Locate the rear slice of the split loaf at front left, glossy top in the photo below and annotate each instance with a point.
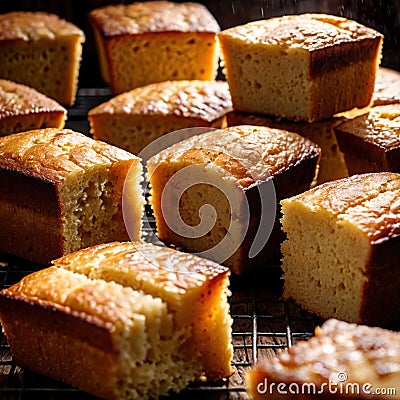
(194, 289)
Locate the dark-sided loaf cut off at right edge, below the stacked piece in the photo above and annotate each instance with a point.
(371, 142)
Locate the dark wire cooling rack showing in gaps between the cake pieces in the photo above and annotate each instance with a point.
(262, 323)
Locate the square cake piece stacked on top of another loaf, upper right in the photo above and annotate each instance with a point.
(301, 67)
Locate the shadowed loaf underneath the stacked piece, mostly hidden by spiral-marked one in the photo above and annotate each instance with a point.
(332, 164)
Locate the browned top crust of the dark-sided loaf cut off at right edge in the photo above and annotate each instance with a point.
(380, 126)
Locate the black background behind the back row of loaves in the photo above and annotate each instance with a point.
(383, 15)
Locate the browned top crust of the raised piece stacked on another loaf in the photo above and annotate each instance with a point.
(305, 31)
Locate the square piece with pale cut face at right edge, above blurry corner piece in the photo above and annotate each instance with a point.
(340, 259)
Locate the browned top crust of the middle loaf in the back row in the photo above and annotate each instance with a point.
(153, 16)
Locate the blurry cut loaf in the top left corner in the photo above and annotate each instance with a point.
(42, 51)
